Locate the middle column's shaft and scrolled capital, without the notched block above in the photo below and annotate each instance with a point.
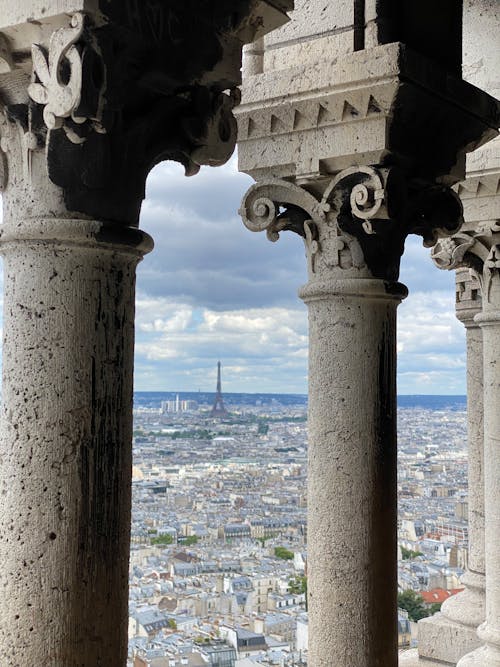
(353, 247)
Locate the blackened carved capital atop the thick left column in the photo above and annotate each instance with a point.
(103, 96)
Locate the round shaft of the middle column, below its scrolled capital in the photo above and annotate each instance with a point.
(352, 503)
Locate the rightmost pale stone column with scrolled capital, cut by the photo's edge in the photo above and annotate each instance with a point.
(477, 247)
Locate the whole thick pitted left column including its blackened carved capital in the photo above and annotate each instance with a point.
(90, 100)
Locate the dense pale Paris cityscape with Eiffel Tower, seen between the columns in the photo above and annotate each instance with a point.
(218, 562)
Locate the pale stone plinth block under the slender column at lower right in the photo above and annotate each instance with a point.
(444, 640)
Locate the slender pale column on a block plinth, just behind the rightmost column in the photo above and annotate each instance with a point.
(449, 635)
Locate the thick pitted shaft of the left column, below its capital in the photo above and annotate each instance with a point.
(66, 443)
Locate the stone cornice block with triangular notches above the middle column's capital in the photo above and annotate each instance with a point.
(380, 105)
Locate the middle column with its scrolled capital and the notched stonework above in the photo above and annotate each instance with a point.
(328, 128)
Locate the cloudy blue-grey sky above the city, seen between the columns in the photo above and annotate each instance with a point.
(212, 290)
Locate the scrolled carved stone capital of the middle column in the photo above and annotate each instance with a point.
(357, 227)
